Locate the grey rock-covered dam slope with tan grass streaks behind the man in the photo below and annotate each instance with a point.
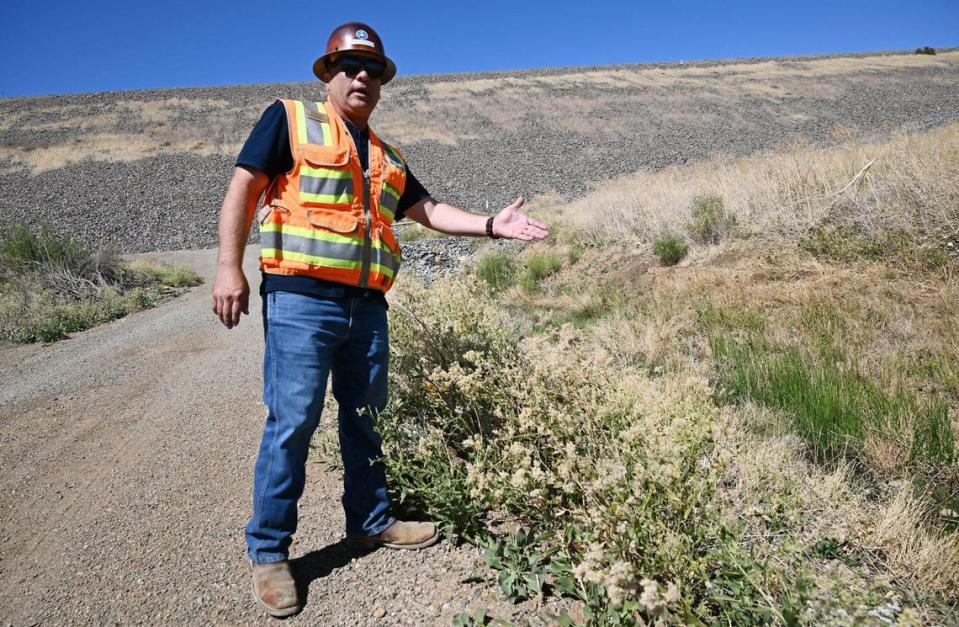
(146, 170)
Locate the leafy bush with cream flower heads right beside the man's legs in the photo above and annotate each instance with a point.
(477, 435)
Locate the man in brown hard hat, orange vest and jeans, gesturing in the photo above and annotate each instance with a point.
(328, 257)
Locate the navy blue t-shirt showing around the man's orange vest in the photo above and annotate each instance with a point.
(268, 150)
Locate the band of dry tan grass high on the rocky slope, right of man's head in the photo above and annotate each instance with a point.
(487, 106)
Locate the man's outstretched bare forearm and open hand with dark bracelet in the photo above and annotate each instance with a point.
(508, 223)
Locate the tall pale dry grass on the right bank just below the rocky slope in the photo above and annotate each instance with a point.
(786, 193)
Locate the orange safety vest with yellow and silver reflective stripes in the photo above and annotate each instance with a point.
(326, 217)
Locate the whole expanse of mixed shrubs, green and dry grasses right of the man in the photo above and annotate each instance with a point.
(764, 437)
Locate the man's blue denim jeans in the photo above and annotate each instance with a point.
(307, 338)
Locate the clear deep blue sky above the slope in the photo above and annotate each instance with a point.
(59, 47)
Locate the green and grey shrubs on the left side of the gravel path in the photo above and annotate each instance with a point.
(51, 286)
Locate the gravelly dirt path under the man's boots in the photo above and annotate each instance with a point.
(127, 455)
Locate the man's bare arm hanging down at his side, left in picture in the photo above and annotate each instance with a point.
(231, 292)
